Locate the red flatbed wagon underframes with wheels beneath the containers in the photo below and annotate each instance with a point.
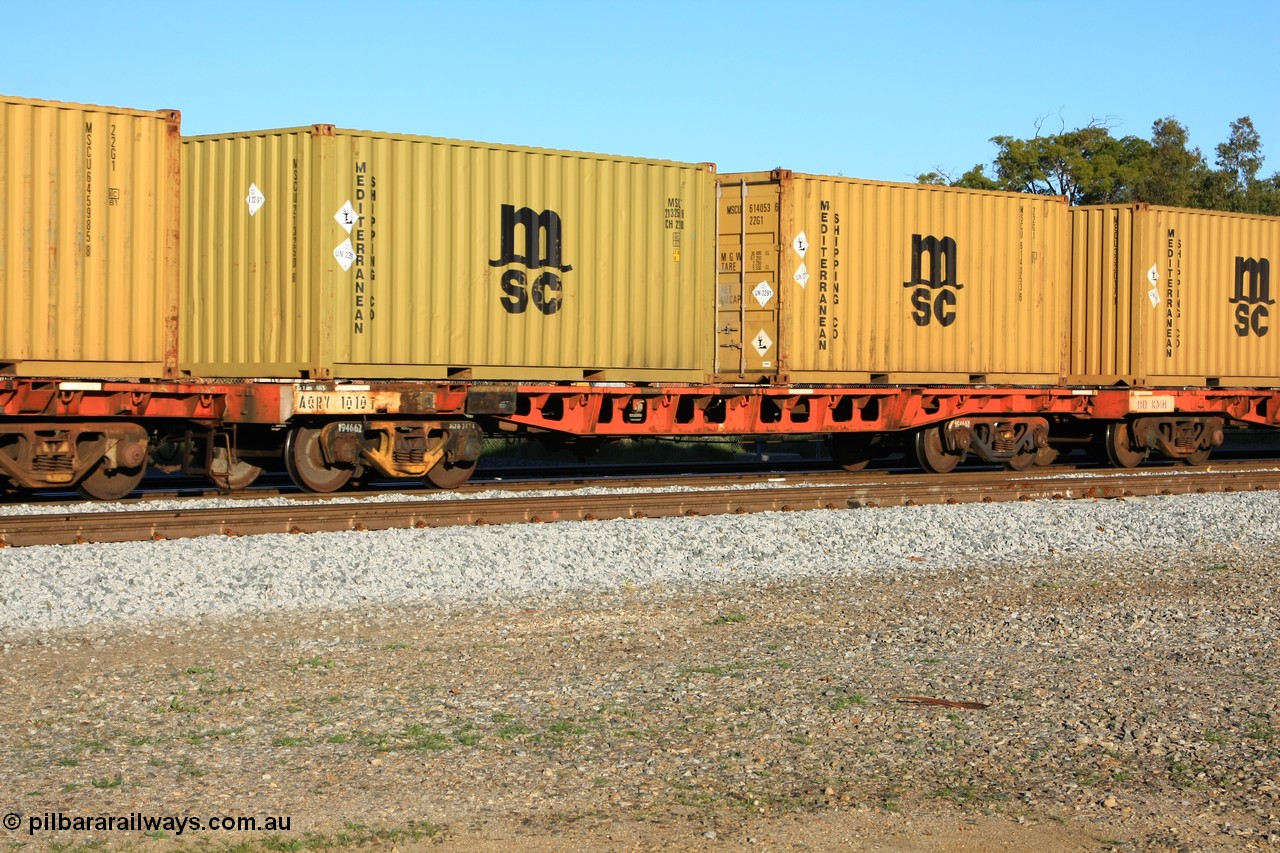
(102, 439)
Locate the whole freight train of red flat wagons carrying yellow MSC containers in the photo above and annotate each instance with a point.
(350, 304)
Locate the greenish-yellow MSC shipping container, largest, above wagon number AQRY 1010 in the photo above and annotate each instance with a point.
(319, 252)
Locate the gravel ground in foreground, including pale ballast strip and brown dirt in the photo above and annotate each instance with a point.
(693, 683)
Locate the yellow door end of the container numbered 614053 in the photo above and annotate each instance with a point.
(747, 293)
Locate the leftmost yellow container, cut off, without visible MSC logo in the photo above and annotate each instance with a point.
(89, 240)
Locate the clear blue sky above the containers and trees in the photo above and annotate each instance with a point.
(876, 90)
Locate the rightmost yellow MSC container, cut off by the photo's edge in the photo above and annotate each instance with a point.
(1168, 297)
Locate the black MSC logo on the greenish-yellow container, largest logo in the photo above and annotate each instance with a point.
(541, 252)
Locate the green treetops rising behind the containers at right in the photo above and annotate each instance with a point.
(1090, 166)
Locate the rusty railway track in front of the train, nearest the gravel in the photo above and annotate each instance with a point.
(866, 490)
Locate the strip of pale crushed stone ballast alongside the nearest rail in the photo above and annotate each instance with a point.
(112, 585)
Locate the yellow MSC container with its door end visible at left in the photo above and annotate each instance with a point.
(828, 280)
